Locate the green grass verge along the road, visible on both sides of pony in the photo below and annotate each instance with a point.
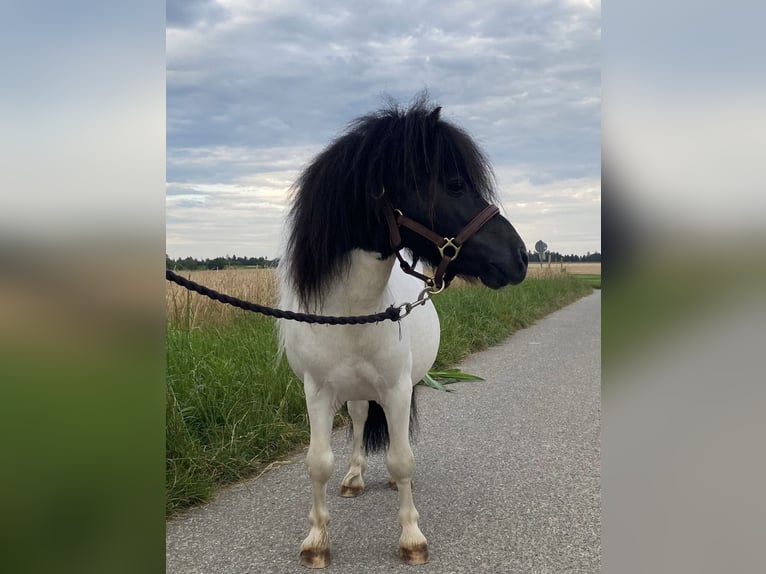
(232, 407)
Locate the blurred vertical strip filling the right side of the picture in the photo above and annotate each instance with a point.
(684, 312)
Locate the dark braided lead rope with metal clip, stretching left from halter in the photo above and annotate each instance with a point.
(391, 314)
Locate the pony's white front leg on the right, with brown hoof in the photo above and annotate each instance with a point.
(413, 547)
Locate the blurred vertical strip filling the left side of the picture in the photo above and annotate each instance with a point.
(82, 110)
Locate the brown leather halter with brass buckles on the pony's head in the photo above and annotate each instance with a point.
(449, 247)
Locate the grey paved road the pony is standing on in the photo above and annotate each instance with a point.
(506, 478)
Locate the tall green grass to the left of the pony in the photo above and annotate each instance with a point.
(231, 407)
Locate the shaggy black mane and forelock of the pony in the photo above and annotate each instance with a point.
(336, 203)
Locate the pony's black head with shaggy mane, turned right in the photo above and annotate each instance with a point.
(423, 166)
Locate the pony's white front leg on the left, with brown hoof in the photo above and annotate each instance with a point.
(315, 550)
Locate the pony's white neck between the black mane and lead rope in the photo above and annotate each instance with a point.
(361, 288)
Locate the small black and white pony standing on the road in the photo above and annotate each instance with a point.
(397, 178)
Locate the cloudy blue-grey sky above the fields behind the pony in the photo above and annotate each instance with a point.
(256, 88)
